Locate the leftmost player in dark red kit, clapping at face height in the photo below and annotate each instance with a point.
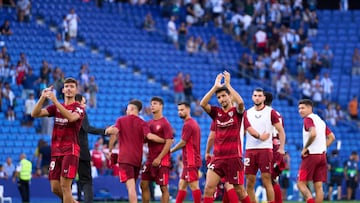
(65, 147)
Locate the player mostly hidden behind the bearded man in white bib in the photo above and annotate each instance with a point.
(278, 160)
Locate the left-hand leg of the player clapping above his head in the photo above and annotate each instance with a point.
(212, 179)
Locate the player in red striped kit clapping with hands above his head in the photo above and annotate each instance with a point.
(227, 160)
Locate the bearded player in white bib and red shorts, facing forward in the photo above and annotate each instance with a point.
(259, 152)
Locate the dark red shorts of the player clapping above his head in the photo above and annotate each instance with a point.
(231, 169)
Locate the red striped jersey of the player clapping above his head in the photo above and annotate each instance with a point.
(227, 143)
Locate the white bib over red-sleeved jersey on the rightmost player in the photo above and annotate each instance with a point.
(318, 146)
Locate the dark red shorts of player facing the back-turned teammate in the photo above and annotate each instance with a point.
(158, 174)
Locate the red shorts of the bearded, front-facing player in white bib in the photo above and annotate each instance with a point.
(256, 159)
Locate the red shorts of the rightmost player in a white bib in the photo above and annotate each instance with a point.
(313, 168)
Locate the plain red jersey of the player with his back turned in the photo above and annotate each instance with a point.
(132, 132)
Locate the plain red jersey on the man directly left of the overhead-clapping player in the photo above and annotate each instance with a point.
(191, 151)
